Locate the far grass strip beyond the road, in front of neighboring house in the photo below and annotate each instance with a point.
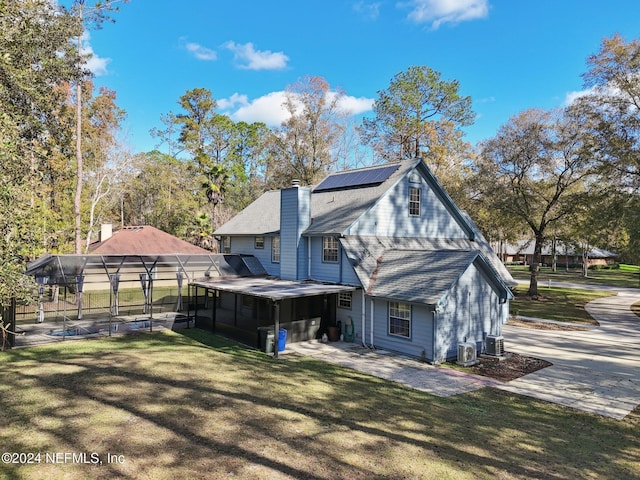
(625, 277)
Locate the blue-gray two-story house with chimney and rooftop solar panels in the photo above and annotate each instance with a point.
(392, 260)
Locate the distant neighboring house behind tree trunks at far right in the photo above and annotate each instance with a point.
(522, 252)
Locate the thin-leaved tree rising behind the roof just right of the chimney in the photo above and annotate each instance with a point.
(305, 141)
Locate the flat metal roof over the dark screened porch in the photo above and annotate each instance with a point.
(272, 288)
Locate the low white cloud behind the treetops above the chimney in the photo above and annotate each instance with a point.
(270, 110)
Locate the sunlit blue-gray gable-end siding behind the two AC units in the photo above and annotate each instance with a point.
(471, 311)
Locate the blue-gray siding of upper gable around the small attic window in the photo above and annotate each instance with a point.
(390, 216)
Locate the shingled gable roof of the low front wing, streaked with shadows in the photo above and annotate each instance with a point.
(426, 277)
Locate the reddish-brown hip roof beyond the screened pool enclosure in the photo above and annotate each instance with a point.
(144, 240)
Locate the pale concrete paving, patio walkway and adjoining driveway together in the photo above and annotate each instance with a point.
(595, 370)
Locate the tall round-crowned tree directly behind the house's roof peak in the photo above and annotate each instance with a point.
(416, 114)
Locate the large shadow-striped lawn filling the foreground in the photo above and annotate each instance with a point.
(201, 407)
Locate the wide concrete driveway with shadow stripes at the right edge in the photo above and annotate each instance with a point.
(596, 370)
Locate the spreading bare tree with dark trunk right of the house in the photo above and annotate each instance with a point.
(537, 170)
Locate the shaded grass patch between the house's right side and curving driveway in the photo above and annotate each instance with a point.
(560, 304)
